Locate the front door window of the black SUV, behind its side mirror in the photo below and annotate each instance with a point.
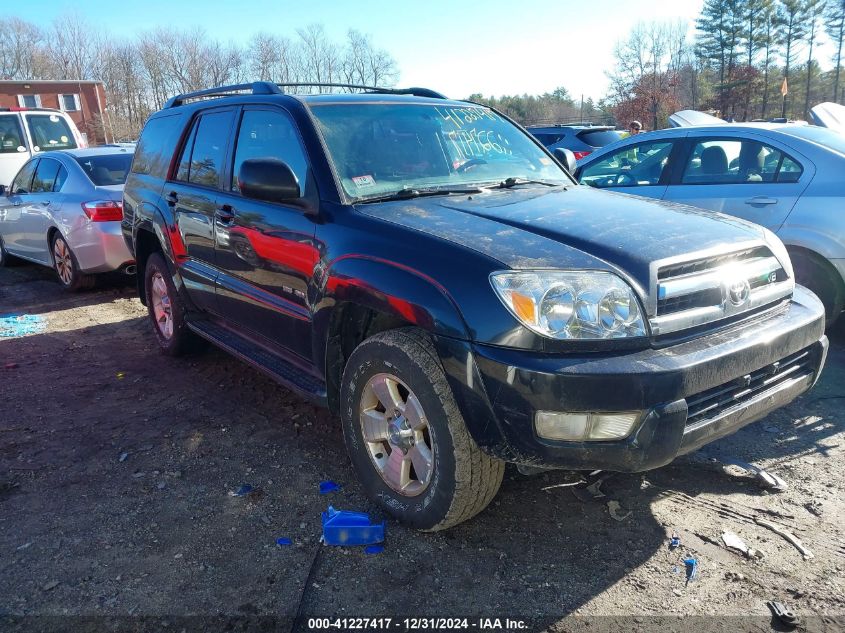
(268, 134)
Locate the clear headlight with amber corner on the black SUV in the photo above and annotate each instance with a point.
(571, 305)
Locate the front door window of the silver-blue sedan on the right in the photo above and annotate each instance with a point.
(634, 166)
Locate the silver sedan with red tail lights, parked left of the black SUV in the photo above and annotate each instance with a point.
(64, 209)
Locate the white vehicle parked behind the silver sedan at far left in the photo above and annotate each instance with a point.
(26, 131)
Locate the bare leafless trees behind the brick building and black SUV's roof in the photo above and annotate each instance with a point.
(140, 74)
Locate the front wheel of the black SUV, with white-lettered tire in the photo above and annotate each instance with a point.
(406, 437)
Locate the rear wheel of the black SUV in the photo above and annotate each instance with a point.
(166, 309)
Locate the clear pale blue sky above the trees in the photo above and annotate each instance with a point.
(492, 47)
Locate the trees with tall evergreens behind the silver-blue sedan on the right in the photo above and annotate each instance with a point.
(745, 54)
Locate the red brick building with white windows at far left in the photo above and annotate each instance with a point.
(84, 101)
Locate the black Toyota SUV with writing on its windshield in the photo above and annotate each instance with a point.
(427, 270)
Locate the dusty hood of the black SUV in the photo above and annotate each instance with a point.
(577, 227)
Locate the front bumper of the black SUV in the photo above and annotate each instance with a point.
(691, 393)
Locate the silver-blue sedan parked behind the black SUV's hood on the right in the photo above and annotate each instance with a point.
(785, 177)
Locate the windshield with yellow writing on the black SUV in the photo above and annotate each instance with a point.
(381, 149)
